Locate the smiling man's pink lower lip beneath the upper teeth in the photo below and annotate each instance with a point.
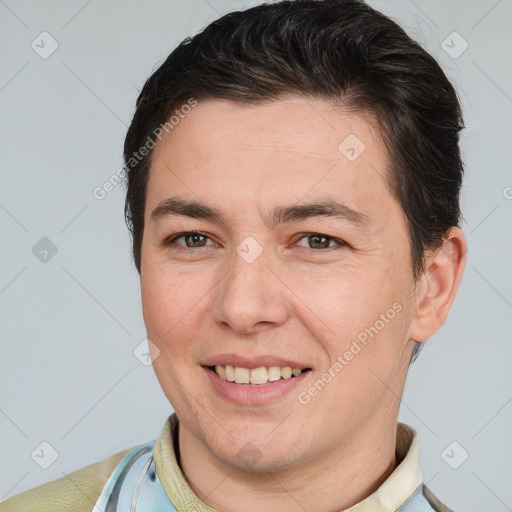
(257, 394)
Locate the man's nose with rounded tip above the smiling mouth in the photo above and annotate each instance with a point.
(251, 297)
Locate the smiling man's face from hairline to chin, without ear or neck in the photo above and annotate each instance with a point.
(307, 290)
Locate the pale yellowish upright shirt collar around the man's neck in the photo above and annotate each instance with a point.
(392, 494)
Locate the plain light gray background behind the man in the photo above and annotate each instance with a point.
(69, 326)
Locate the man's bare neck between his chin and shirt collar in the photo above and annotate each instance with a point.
(349, 473)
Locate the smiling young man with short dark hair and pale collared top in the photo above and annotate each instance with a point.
(293, 196)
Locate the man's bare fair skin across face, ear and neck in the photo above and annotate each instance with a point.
(295, 300)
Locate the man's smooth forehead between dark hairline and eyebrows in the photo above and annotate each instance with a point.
(229, 154)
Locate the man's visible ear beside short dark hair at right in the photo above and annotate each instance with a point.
(436, 289)
